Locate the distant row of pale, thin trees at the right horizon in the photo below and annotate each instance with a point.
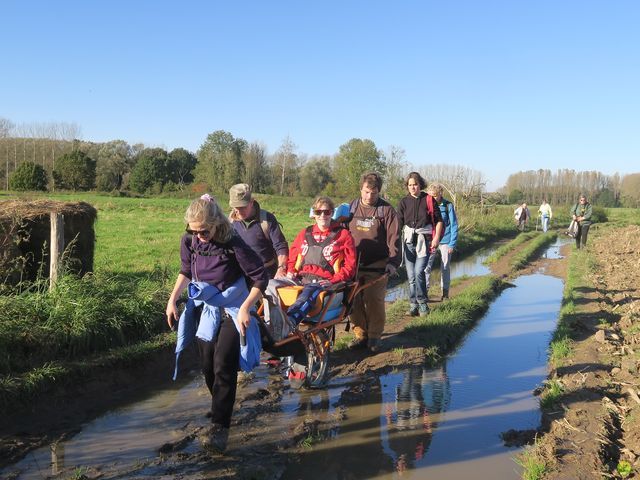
(565, 185)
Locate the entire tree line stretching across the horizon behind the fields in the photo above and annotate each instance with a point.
(50, 157)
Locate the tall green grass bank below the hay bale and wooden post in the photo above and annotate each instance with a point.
(44, 330)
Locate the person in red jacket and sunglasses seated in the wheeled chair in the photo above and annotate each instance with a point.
(321, 255)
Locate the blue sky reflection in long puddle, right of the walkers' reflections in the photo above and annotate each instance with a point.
(494, 373)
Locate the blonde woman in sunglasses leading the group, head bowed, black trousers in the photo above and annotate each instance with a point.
(212, 254)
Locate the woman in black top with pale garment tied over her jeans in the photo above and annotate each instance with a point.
(421, 226)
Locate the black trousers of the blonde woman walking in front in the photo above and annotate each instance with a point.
(220, 360)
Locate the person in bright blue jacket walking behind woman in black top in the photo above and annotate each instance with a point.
(448, 241)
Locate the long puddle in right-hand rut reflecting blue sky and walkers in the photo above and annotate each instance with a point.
(446, 422)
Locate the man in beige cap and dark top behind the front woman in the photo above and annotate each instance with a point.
(259, 229)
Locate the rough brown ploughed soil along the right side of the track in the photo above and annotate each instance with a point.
(594, 430)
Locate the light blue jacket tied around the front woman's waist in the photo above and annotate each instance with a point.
(212, 300)
